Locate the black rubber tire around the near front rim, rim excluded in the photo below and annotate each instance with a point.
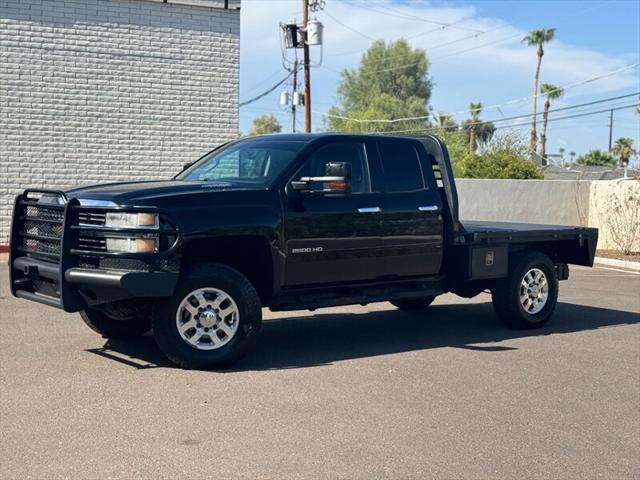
(233, 283)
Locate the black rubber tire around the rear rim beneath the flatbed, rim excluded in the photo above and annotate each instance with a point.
(506, 293)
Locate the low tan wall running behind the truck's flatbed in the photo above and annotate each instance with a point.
(556, 202)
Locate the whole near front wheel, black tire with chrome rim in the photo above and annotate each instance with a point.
(212, 320)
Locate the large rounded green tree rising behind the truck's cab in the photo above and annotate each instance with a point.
(391, 82)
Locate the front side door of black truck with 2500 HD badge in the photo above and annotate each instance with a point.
(336, 239)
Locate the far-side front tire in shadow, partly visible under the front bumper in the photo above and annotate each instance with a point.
(118, 320)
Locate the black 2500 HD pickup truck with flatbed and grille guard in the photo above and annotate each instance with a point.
(286, 222)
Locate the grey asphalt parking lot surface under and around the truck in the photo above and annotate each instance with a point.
(355, 392)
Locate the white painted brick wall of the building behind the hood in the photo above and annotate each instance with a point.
(106, 90)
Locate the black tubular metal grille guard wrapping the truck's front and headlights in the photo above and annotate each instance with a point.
(69, 255)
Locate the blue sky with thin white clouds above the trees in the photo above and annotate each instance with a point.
(476, 54)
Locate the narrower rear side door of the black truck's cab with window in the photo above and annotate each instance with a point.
(411, 209)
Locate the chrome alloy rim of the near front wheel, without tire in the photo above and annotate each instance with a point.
(207, 318)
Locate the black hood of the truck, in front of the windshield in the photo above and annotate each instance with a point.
(127, 193)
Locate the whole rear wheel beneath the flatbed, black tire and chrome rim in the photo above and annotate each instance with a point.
(528, 296)
